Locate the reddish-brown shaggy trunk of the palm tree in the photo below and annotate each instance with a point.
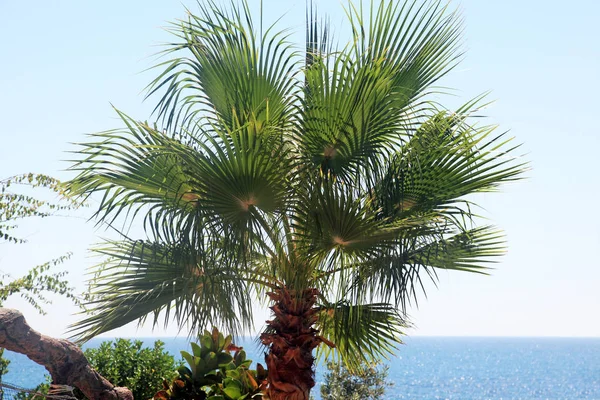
(291, 340)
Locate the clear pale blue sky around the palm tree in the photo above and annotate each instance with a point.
(63, 62)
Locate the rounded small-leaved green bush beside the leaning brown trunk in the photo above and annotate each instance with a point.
(127, 363)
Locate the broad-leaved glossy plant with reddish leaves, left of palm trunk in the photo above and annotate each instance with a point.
(213, 373)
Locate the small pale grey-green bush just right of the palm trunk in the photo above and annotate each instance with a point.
(367, 383)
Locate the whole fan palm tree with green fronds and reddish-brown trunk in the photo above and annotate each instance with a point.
(325, 184)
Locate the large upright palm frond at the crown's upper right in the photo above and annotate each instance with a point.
(361, 101)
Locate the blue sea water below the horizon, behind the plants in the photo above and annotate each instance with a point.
(451, 368)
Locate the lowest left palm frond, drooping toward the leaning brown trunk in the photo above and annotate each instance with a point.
(141, 278)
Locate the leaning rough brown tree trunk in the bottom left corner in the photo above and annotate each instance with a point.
(64, 360)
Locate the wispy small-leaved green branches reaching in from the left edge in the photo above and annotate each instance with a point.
(39, 280)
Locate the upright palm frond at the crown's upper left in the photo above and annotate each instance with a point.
(230, 73)
